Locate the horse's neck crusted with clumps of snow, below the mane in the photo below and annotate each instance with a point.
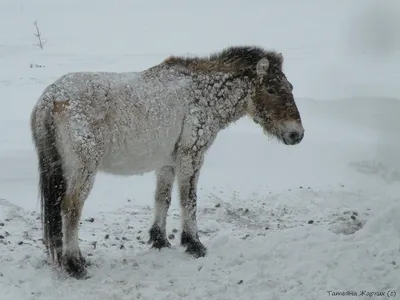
(225, 95)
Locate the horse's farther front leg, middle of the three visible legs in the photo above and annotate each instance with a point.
(158, 233)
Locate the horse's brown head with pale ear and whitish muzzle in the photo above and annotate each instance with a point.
(273, 105)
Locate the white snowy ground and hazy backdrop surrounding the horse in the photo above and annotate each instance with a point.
(319, 220)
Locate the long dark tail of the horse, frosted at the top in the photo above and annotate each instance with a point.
(52, 181)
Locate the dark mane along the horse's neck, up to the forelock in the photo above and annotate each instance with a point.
(237, 59)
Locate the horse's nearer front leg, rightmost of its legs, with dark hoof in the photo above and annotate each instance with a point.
(189, 165)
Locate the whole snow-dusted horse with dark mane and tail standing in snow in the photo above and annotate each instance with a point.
(162, 119)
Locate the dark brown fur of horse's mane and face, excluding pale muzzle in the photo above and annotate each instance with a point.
(271, 89)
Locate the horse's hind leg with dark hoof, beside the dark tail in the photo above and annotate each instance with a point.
(82, 153)
